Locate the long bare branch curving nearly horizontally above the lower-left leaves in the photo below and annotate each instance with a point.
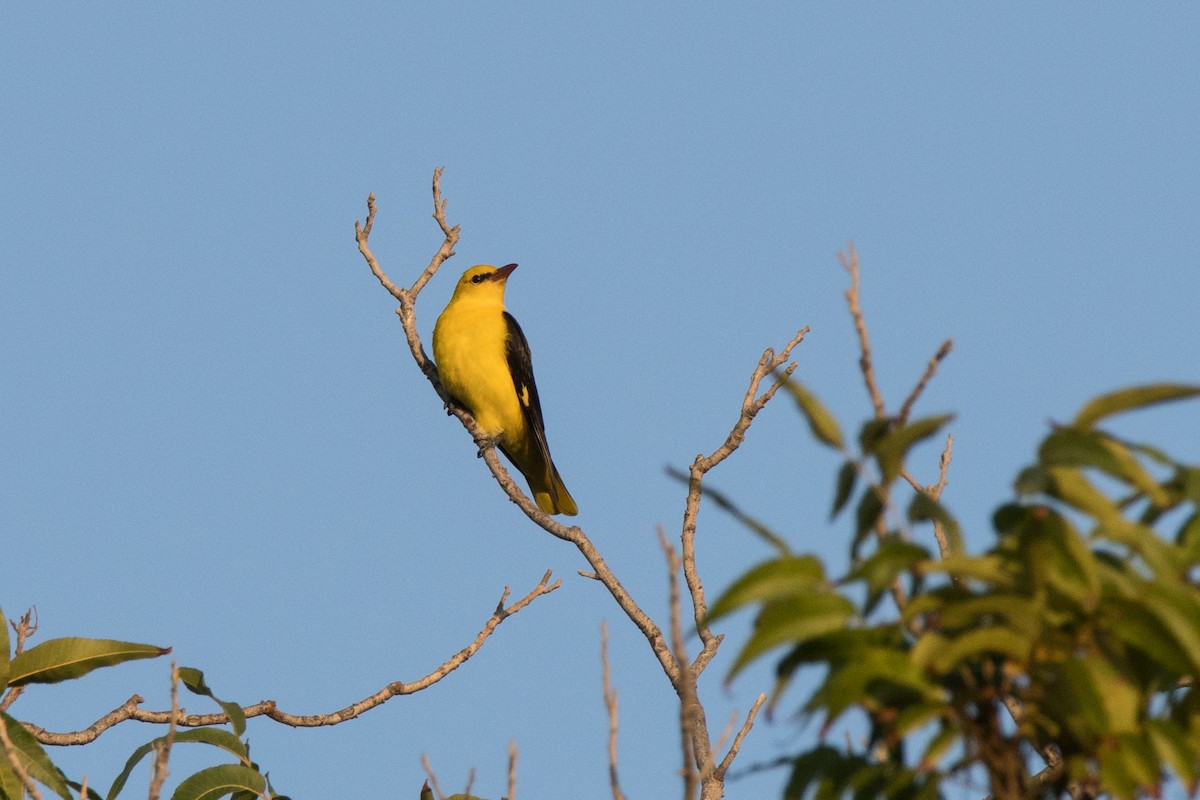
(131, 711)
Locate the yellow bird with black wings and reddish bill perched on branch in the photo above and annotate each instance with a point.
(484, 362)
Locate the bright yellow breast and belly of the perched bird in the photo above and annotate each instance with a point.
(470, 347)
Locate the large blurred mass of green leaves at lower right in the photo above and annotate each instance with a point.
(1077, 633)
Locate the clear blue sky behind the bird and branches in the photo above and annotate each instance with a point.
(213, 435)
